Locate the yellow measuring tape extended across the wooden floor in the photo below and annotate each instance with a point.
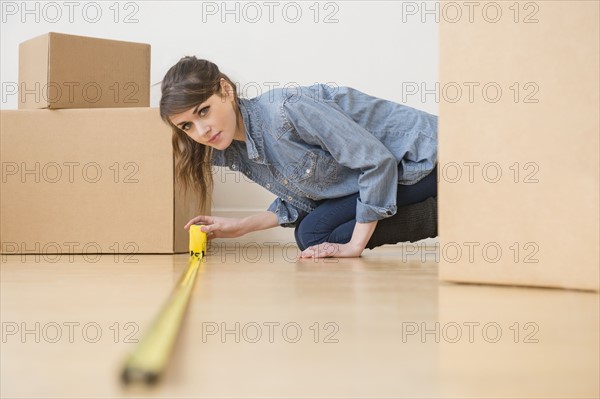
(151, 356)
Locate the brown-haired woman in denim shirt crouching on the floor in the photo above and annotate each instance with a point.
(350, 171)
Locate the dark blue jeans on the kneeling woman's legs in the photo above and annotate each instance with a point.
(333, 220)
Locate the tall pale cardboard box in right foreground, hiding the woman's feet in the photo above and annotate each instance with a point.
(519, 171)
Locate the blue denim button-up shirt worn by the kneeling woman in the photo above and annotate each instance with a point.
(311, 143)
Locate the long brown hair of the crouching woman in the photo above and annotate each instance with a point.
(188, 83)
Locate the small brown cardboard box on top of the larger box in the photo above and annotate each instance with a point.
(67, 71)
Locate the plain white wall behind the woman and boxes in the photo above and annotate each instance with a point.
(379, 47)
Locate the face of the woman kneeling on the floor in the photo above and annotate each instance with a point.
(212, 123)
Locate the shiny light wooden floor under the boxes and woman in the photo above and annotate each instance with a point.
(261, 324)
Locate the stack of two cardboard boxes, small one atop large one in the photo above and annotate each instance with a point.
(87, 166)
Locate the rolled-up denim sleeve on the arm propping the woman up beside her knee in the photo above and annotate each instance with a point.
(323, 123)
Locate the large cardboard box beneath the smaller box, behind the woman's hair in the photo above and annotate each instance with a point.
(90, 181)
